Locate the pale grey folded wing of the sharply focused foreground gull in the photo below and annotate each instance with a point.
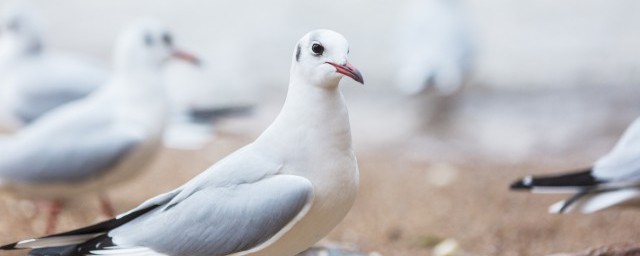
(220, 220)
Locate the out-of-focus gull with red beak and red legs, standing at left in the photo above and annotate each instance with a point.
(105, 138)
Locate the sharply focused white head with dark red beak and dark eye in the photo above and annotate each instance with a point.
(320, 57)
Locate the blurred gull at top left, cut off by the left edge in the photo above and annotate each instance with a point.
(33, 78)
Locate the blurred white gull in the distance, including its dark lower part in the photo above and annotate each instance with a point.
(434, 55)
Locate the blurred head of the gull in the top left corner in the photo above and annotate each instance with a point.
(20, 30)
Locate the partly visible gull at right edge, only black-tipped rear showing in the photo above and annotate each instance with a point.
(612, 180)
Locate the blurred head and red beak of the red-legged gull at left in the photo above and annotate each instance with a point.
(147, 45)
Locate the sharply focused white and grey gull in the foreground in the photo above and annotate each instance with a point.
(276, 196)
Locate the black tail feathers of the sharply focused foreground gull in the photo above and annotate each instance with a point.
(76, 242)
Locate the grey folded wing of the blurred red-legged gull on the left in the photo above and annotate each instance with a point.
(65, 156)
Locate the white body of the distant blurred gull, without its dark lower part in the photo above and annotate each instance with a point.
(434, 47)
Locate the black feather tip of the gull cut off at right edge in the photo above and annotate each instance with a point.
(576, 181)
